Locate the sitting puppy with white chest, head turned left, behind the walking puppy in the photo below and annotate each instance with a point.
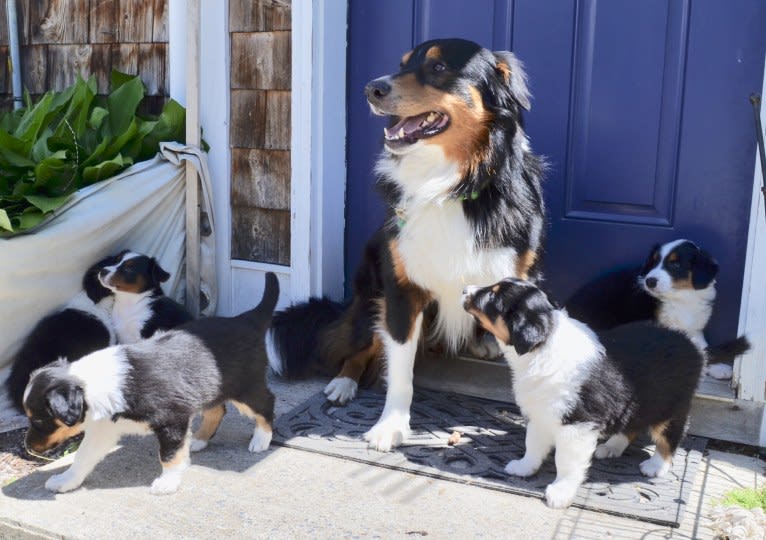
(140, 306)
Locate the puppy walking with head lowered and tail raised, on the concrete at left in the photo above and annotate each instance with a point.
(156, 386)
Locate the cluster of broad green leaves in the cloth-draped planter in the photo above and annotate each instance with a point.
(71, 139)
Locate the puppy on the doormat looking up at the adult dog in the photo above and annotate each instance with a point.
(575, 388)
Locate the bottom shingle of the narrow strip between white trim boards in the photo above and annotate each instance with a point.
(260, 235)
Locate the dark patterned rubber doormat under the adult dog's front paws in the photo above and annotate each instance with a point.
(491, 434)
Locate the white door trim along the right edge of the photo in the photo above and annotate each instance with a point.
(750, 371)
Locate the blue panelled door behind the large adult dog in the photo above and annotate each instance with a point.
(641, 109)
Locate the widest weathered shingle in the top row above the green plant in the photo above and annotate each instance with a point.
(60, 22)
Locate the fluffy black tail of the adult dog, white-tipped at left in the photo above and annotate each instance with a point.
(293, 342)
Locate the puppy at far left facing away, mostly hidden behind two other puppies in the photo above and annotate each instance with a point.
(82, 326)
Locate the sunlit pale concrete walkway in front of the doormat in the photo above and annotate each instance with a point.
(285, 493)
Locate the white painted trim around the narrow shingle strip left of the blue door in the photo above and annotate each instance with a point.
(318, 148)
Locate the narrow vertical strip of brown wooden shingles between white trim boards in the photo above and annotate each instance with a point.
(260, 129)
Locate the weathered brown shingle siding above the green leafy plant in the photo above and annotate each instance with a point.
(61, 39)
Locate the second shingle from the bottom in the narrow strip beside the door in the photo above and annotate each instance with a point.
(260, 178)
